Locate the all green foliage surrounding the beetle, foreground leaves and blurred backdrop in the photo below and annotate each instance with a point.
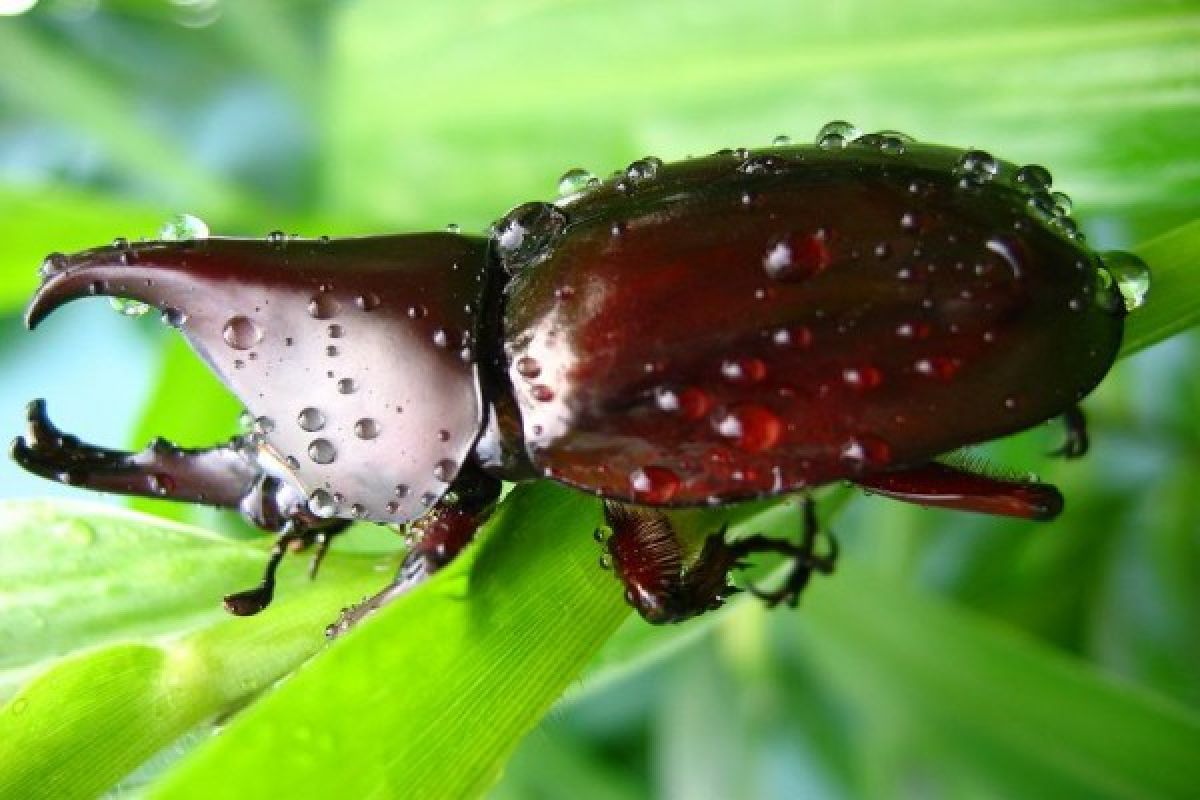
(951, 657)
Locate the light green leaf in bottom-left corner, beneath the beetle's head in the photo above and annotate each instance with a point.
(94, 576)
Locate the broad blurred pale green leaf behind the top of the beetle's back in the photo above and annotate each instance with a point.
(1105, 97)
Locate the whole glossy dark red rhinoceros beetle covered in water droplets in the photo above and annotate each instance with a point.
(742, 326)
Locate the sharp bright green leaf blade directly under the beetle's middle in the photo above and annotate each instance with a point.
(434, 694)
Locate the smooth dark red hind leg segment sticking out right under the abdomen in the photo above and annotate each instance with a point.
(951, 488)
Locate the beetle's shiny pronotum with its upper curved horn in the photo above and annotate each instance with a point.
(321, 340)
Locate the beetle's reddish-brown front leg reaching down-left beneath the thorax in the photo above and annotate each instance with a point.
(439, 538)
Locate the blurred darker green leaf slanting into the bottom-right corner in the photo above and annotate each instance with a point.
(995, 695)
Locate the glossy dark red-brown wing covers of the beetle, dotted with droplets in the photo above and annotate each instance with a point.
(754, 323)
